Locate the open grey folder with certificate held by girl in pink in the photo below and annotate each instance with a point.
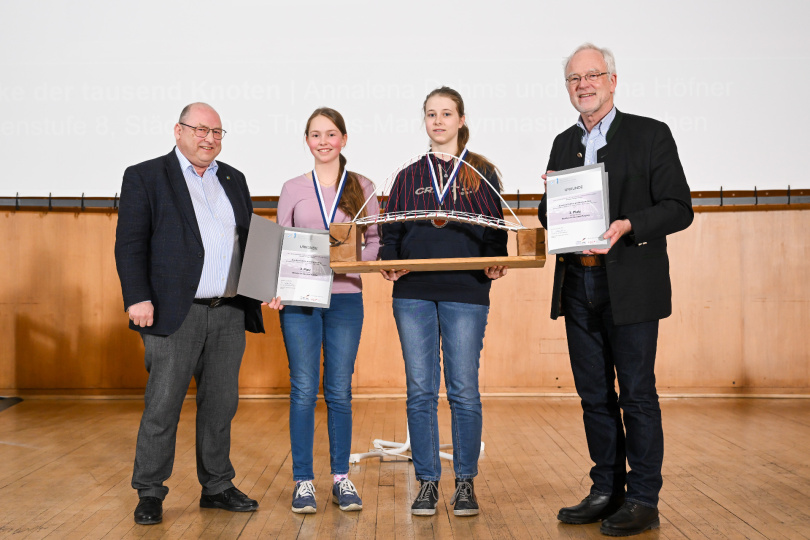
(286, 262)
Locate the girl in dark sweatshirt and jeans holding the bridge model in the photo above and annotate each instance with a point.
(444, 311)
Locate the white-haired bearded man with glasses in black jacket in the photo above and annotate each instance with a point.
(612, 299)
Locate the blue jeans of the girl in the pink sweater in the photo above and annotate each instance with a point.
(305, 329)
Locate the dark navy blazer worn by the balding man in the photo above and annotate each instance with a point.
(158, 248)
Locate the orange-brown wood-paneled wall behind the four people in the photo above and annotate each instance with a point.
(741, 295)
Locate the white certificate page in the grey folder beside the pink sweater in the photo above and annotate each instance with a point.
(304, 276)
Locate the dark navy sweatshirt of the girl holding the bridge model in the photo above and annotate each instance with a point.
(413, 190)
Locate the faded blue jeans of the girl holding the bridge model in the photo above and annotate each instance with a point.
(458, 328)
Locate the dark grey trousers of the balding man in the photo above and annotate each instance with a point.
(209, 347)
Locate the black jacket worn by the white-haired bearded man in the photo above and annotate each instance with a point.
(647, 185)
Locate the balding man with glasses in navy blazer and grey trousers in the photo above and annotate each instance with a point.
(182, 227)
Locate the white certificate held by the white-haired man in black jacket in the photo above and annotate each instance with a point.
(577, 209)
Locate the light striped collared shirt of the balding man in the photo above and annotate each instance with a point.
(217, 224)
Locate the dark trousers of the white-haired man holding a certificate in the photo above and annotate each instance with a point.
(600, 353)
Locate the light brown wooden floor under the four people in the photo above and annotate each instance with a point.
(734, 468)
